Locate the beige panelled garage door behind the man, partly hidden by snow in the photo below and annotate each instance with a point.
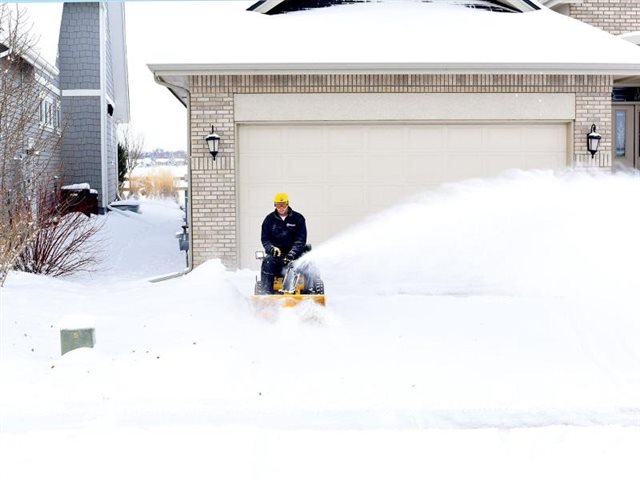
(338, 174)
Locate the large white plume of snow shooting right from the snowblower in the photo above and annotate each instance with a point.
(524, 233)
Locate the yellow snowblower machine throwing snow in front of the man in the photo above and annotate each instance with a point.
(296, 284)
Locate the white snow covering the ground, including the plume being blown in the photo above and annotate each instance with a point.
(489, 329)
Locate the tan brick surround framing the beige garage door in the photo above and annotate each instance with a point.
(213, 184)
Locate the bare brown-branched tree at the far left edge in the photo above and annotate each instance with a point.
(30, 134)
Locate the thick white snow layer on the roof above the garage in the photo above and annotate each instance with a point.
(407, 35)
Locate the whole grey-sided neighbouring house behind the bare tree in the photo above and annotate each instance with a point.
(83, 97)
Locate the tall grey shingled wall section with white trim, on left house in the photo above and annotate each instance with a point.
(95, 96)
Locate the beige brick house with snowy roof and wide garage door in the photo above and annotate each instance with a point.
(352, 108)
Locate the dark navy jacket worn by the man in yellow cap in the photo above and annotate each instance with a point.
(289, 235)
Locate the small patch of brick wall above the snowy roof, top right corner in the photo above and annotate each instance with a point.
(613, 16)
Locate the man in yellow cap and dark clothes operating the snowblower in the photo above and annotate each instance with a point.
(284, 235)
